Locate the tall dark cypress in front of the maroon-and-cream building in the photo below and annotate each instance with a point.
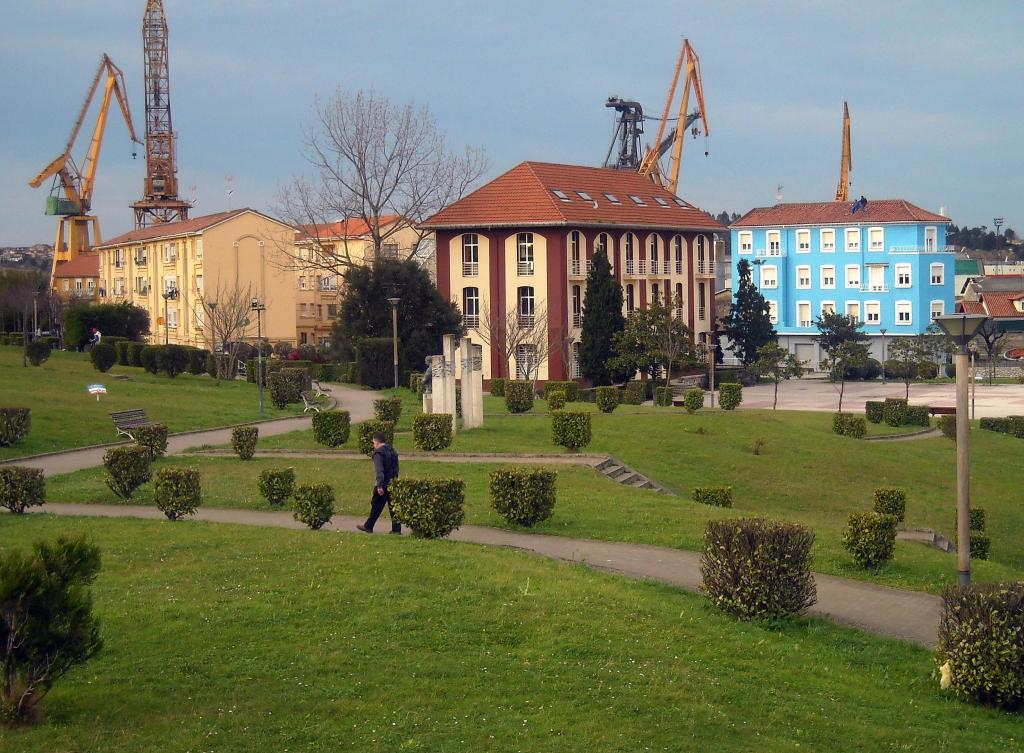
(603, 318)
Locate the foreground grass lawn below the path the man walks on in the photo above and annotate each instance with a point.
(230, 639)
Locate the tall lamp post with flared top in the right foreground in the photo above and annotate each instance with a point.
(962, 328)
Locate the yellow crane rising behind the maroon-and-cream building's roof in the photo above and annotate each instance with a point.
(686, 122)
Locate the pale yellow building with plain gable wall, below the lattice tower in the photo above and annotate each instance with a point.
(240, 253)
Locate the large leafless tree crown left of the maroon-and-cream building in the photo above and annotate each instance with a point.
(383, 164)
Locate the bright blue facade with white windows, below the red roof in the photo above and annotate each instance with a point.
(893, 276)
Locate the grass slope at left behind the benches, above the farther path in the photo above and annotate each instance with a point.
(65, 416)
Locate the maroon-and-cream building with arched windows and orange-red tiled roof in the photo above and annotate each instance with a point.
(522, 245)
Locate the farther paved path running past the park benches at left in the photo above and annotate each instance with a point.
(360, 403)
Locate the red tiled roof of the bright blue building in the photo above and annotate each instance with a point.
(878, 211)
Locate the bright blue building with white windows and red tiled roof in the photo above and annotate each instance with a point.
(887, 265)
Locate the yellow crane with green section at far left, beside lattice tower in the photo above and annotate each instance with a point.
(71, 196)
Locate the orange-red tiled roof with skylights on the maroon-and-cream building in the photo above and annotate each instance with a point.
(524, 196)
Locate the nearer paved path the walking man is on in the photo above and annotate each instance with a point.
(889, 612)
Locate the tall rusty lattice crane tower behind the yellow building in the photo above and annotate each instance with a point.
(160, 201)
